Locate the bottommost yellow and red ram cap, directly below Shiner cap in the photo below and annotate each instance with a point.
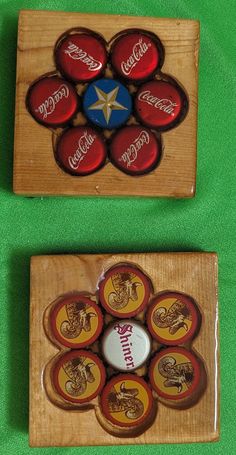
(127, 400)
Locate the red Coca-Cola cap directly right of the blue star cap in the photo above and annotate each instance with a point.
(160, 104)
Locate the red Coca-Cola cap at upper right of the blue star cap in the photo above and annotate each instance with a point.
(136, 55)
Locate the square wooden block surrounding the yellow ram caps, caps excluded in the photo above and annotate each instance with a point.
(191, 273)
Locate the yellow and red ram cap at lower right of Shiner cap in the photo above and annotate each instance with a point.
(174, 373)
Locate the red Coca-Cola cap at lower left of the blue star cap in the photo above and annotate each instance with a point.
(80, 151)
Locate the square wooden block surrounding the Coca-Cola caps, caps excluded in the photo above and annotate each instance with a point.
(35, 170)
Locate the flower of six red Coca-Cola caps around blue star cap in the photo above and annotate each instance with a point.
(107, 101)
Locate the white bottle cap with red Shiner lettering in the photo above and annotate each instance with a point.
(126, 345)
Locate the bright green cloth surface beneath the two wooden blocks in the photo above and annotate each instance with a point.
(32, 226)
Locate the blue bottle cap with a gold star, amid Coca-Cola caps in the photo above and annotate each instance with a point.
(107, 103)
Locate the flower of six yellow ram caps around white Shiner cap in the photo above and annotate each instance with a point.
(124, 349)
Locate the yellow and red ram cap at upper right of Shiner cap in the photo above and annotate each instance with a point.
(173, 318)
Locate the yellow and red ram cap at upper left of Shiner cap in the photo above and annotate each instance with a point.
(76, 321)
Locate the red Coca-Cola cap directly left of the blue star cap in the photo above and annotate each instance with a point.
(52, 101)
